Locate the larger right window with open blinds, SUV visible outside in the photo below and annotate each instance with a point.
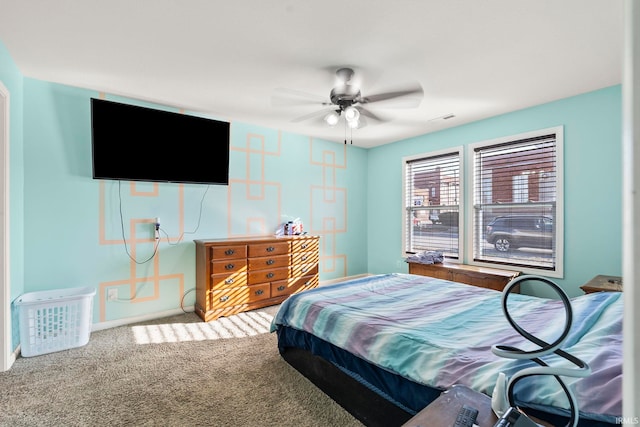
(517, 214)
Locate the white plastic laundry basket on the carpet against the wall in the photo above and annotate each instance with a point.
(54, 320)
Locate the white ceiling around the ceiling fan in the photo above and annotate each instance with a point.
(227, 59)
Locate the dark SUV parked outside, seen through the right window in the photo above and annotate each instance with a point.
(518, 231)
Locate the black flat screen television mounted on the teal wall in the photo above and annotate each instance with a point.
(143, 144)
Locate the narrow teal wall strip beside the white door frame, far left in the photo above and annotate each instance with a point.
(12, 79)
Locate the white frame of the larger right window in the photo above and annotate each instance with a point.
(470, 164)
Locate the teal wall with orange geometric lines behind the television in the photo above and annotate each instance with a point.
(72, 222)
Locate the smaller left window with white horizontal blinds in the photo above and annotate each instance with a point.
(432, 203)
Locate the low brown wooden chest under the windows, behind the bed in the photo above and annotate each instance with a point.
(491, 278)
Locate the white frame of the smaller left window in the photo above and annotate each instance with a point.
(459, 150)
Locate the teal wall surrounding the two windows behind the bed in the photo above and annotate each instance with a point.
(592, 181)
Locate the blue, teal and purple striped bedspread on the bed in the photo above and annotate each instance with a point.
(440, 333)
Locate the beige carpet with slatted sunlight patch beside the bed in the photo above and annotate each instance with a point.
(177, 371)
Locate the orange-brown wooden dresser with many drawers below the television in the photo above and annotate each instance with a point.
(240, 274)
